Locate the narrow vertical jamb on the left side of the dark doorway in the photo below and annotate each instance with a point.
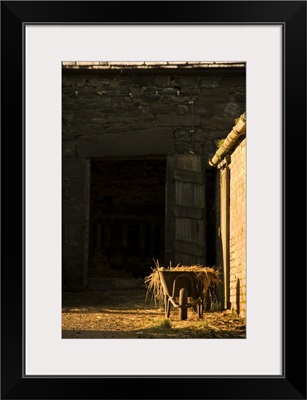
(87, 182)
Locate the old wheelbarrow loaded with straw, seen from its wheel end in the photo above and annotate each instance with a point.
(180, 291)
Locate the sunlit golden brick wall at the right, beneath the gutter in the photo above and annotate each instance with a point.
(238, 229)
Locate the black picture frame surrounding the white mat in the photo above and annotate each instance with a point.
(292, 384)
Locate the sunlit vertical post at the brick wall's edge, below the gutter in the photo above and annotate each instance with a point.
(224, 204)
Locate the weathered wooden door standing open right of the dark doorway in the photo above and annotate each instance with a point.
(185, 210)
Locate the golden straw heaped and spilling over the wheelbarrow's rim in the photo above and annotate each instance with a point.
(204, 277)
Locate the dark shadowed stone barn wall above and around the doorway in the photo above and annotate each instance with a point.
(136, 111)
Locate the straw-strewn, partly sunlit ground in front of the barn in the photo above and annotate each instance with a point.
(118, 308)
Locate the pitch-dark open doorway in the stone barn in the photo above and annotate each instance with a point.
(127, 216)
